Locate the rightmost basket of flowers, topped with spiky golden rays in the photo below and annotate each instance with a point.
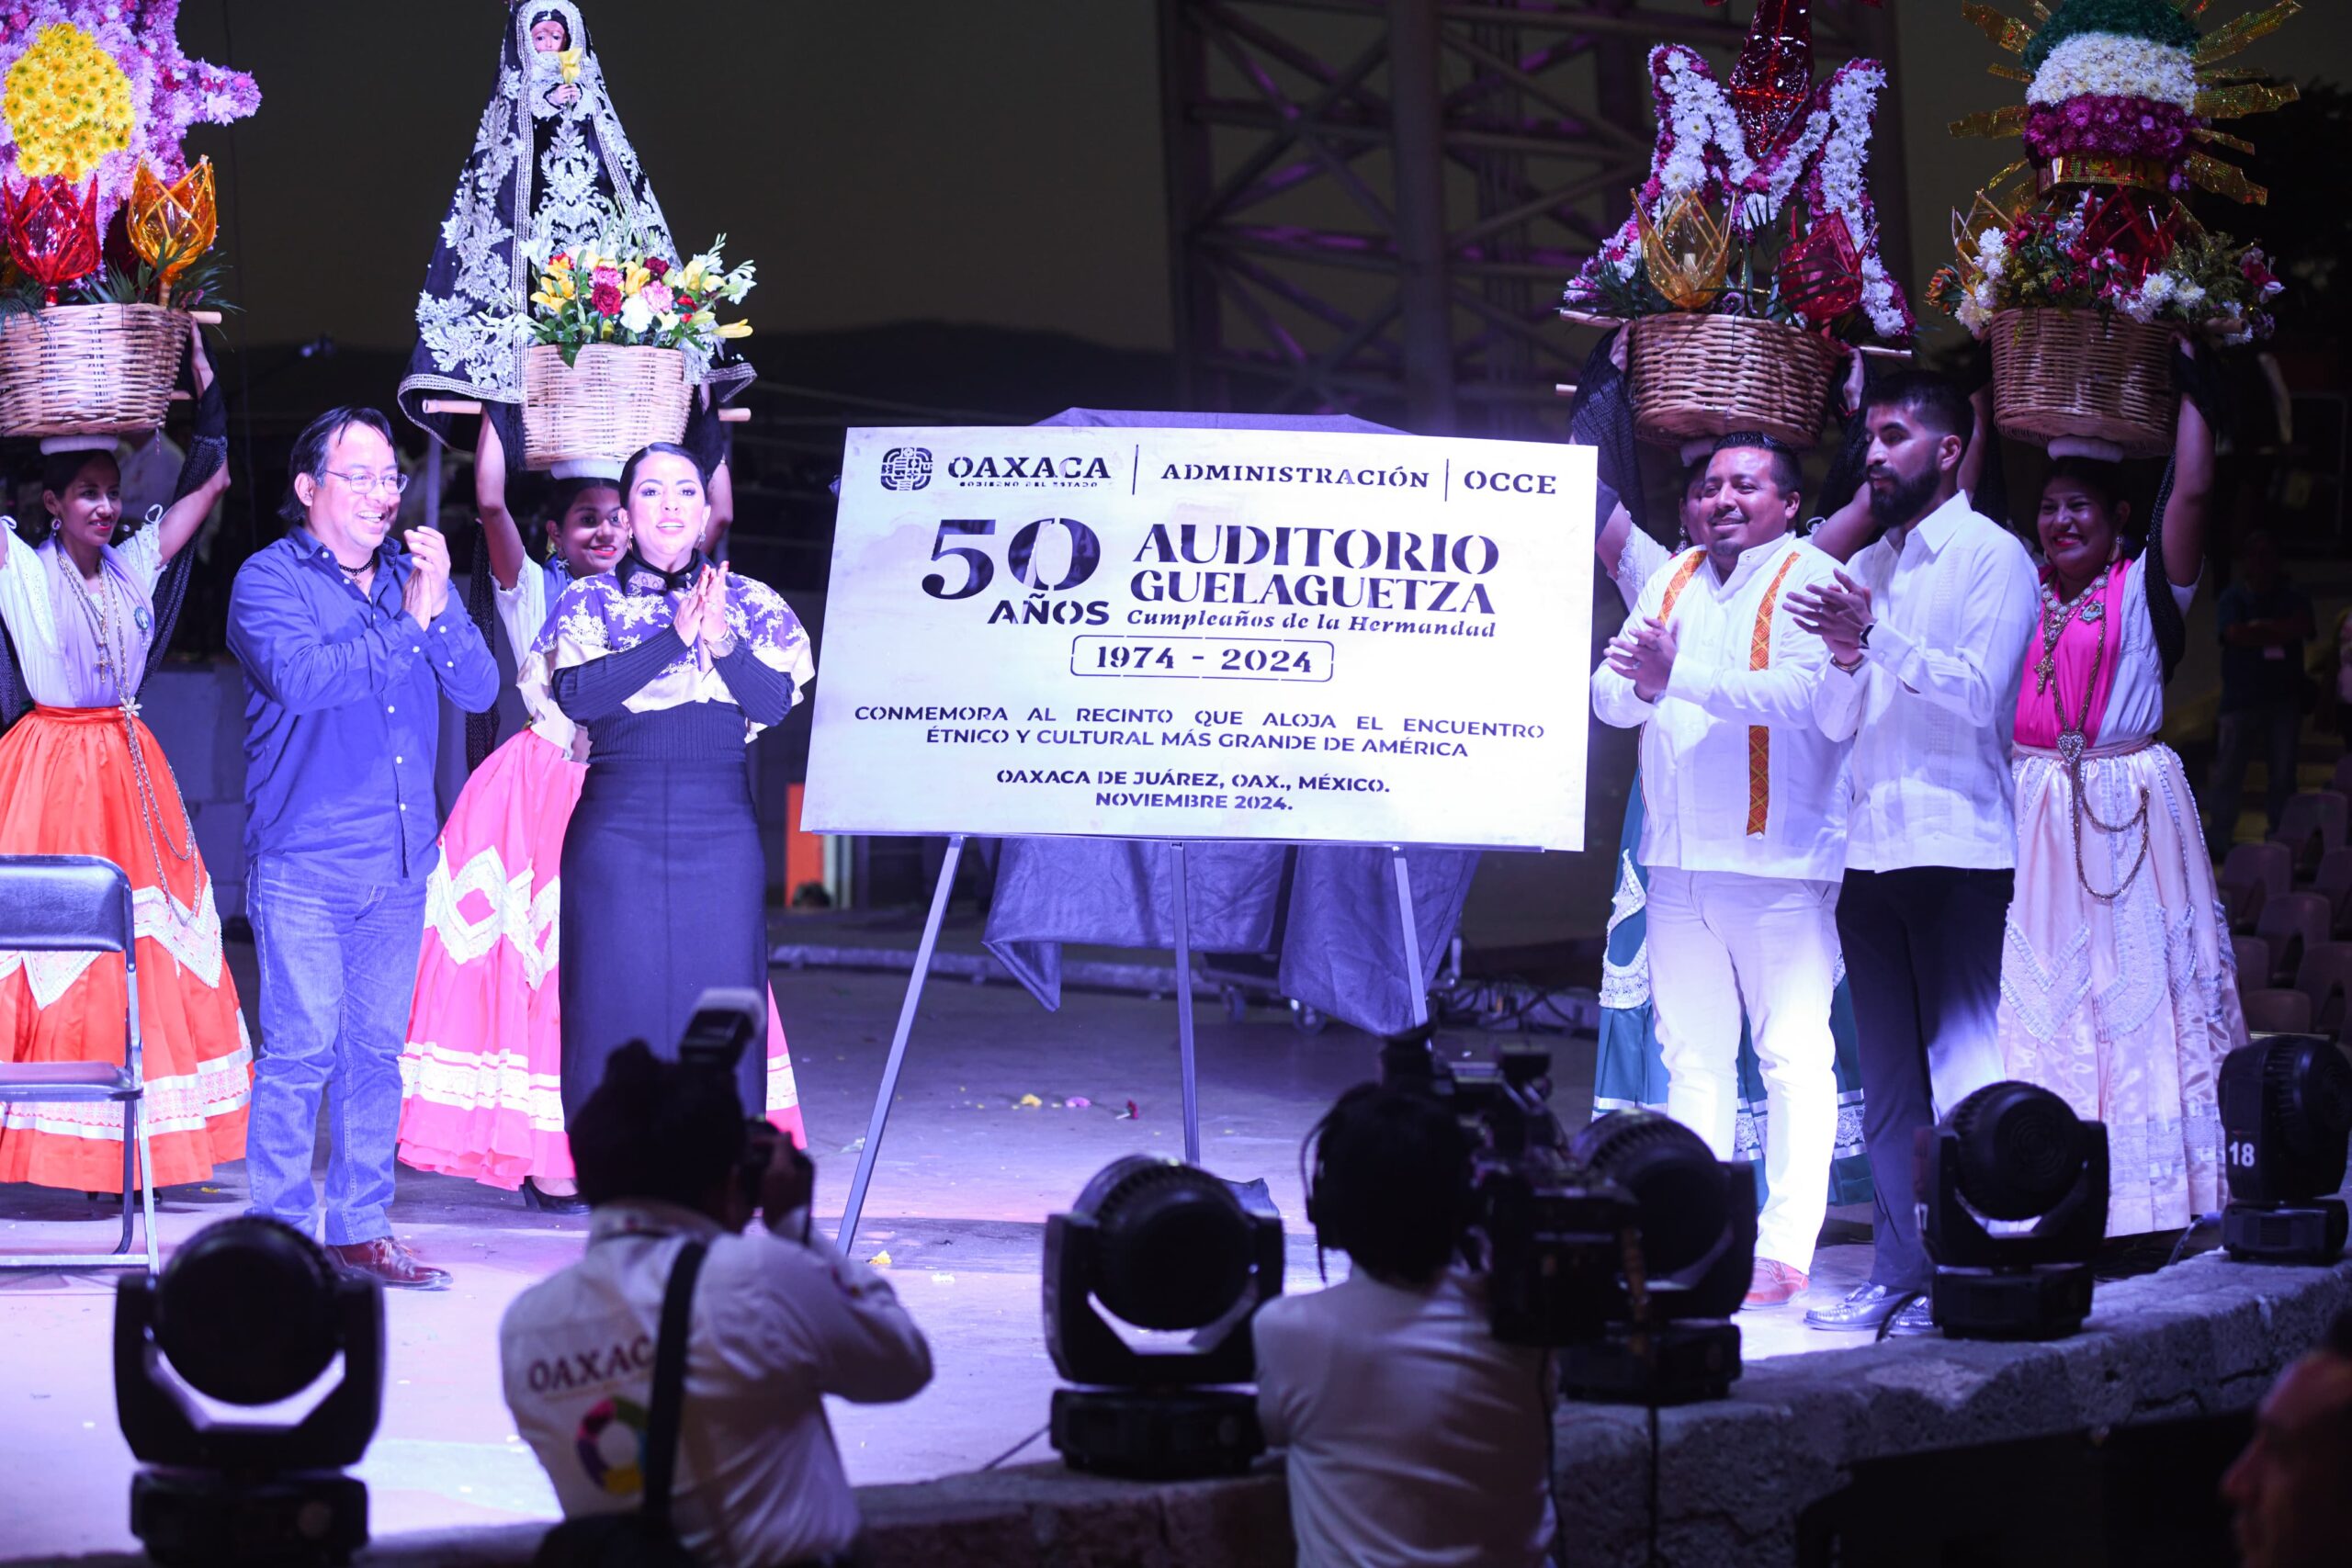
(2080, 262)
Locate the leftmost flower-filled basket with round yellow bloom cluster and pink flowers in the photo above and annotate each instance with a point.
(95, 100)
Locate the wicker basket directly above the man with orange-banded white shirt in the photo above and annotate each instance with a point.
(1711, 375)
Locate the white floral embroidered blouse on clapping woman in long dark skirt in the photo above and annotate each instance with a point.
(643, 666)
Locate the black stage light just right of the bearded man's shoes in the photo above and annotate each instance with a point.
(2012, 1153)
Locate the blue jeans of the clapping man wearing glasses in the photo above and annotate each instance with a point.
(338, 972)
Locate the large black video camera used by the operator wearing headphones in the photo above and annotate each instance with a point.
(1551, 1238)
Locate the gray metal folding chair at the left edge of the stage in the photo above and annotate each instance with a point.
(81, 904)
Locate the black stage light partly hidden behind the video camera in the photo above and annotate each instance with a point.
(1669, 1334)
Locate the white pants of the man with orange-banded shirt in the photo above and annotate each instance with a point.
(1720, 944)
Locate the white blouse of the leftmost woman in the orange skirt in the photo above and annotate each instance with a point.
(51, 619)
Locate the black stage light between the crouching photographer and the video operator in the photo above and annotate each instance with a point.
(1163, 1247)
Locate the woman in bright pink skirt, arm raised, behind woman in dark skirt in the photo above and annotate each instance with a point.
(483, 1059)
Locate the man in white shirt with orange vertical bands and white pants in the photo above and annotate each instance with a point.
(1744, 836)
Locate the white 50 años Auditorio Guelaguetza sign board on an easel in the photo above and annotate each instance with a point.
(1208, 636)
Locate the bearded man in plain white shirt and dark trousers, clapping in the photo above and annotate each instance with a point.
(1927, 641)
